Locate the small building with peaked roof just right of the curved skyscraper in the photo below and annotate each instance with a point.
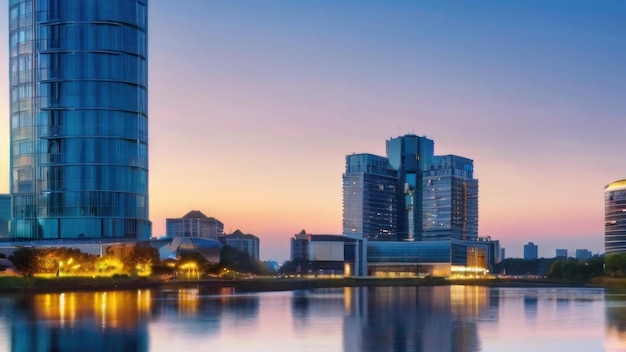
(194, 224)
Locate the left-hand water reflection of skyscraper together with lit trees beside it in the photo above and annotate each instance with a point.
(115, 320)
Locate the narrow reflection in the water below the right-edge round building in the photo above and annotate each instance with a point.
(615, 320)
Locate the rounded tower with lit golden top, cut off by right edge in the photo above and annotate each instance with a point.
(615, 217)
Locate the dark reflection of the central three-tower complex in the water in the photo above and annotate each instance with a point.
(441, 318)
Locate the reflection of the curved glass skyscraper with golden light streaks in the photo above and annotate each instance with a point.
(81, 321)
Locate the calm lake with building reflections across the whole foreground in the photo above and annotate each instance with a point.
(440, 318)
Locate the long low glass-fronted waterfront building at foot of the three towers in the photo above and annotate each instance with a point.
(351, 256)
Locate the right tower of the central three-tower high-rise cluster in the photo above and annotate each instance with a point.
(450, 199)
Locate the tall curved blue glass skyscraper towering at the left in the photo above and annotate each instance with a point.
(79, 119)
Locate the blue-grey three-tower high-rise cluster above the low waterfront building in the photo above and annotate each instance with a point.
(410, 195)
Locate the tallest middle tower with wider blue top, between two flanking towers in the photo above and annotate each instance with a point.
(410, 155)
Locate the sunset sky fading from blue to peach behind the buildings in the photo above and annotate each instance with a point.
(253, 106)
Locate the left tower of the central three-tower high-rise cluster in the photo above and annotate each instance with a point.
(369, 197)
